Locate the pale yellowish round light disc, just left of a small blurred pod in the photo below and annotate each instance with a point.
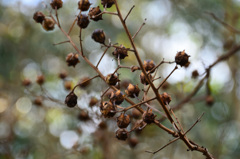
(24, 105)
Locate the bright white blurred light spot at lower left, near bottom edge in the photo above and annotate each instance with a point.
(68, 139)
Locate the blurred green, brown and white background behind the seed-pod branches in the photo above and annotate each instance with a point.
(53, 131)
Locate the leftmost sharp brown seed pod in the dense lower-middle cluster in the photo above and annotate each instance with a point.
(107, 109)
